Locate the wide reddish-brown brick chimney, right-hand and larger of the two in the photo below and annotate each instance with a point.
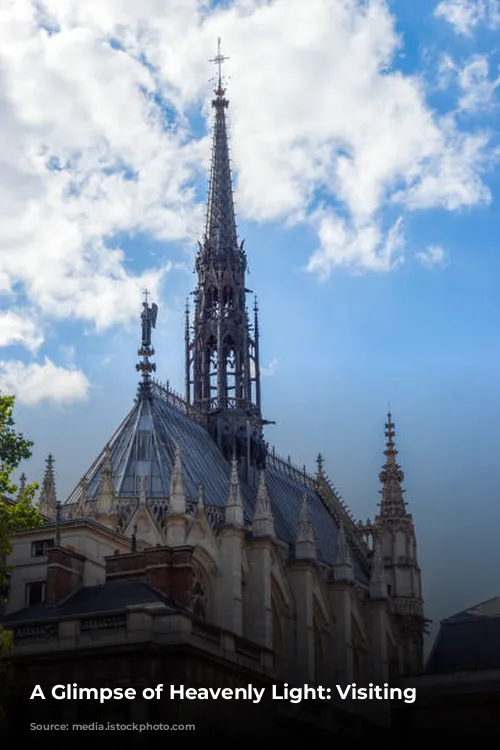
(166, 569)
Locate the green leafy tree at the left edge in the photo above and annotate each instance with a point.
(18, 516)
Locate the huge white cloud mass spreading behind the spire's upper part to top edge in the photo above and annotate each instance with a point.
(96, 142)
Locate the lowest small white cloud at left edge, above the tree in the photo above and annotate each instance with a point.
(34, 383)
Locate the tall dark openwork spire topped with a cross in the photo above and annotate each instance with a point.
(222, 348)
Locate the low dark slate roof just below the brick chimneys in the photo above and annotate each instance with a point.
(111, 597)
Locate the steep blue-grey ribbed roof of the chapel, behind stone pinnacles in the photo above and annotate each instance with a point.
(144, 445)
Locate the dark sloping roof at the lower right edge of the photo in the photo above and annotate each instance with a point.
(468, 641)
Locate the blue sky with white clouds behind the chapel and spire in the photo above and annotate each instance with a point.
(365, 151)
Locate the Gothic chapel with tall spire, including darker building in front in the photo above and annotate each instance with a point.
(187, 530)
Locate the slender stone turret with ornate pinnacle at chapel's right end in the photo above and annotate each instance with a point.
(396, 540)
